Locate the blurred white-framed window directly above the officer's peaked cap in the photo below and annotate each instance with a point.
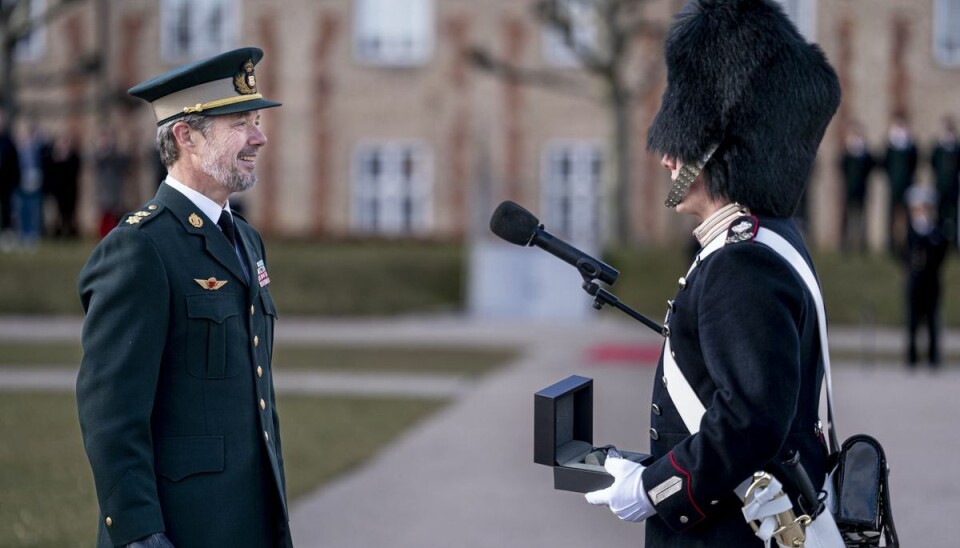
(193, 29)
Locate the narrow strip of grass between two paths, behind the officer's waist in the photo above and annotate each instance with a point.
(470, 362)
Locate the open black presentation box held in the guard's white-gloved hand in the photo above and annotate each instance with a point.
(563, 435)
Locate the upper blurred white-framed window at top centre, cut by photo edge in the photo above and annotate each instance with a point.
(393, 32)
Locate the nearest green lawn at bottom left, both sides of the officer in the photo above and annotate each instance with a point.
(46, 490)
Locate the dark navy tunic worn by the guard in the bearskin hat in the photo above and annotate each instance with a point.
(744, 334)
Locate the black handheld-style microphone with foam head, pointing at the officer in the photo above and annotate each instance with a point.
(518, 226)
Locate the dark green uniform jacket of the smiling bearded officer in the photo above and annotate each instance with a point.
(175, 391)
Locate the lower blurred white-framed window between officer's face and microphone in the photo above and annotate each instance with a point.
(392, 188)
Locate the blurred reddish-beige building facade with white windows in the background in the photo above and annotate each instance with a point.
(388, 130)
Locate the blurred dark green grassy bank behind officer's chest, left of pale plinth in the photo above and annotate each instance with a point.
(306, 278)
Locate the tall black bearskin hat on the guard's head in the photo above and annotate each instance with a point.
(740, 76)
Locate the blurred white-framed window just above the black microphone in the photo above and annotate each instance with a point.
(572, 174)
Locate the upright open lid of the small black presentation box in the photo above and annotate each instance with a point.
(563, 419)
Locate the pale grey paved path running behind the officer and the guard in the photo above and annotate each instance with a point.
(465, 477)
